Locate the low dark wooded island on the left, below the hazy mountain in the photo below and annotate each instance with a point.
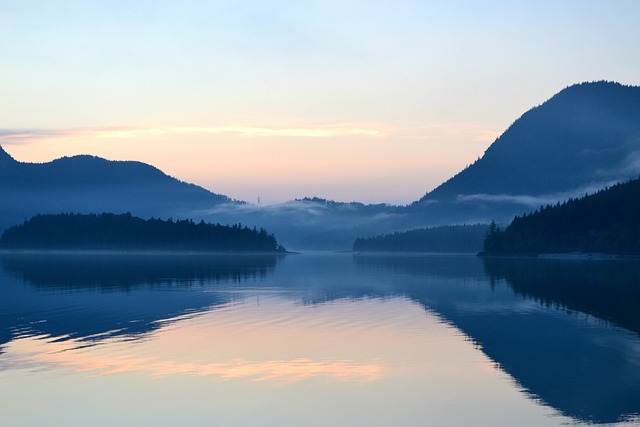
(126, 232)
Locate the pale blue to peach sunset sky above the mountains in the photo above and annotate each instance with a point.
(370, 101)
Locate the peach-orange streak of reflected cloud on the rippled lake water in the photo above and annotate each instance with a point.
(36, 352)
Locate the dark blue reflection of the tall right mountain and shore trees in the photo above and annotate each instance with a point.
(548, 324)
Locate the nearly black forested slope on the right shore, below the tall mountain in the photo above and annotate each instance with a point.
(605, 222)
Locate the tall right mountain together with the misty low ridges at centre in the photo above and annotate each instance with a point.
(584, 138)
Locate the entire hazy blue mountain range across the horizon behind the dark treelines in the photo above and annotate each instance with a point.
(584, 138)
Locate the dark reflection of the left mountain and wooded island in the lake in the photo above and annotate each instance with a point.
(89, 297)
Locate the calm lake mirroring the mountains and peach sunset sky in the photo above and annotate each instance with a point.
(318, 339)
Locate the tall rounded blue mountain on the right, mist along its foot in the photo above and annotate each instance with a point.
(586, 136)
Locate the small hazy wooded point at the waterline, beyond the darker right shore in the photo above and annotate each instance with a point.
(448, 239)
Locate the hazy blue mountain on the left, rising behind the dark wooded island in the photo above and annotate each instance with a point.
(88, 184)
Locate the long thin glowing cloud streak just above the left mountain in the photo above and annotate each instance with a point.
(18, 136)
